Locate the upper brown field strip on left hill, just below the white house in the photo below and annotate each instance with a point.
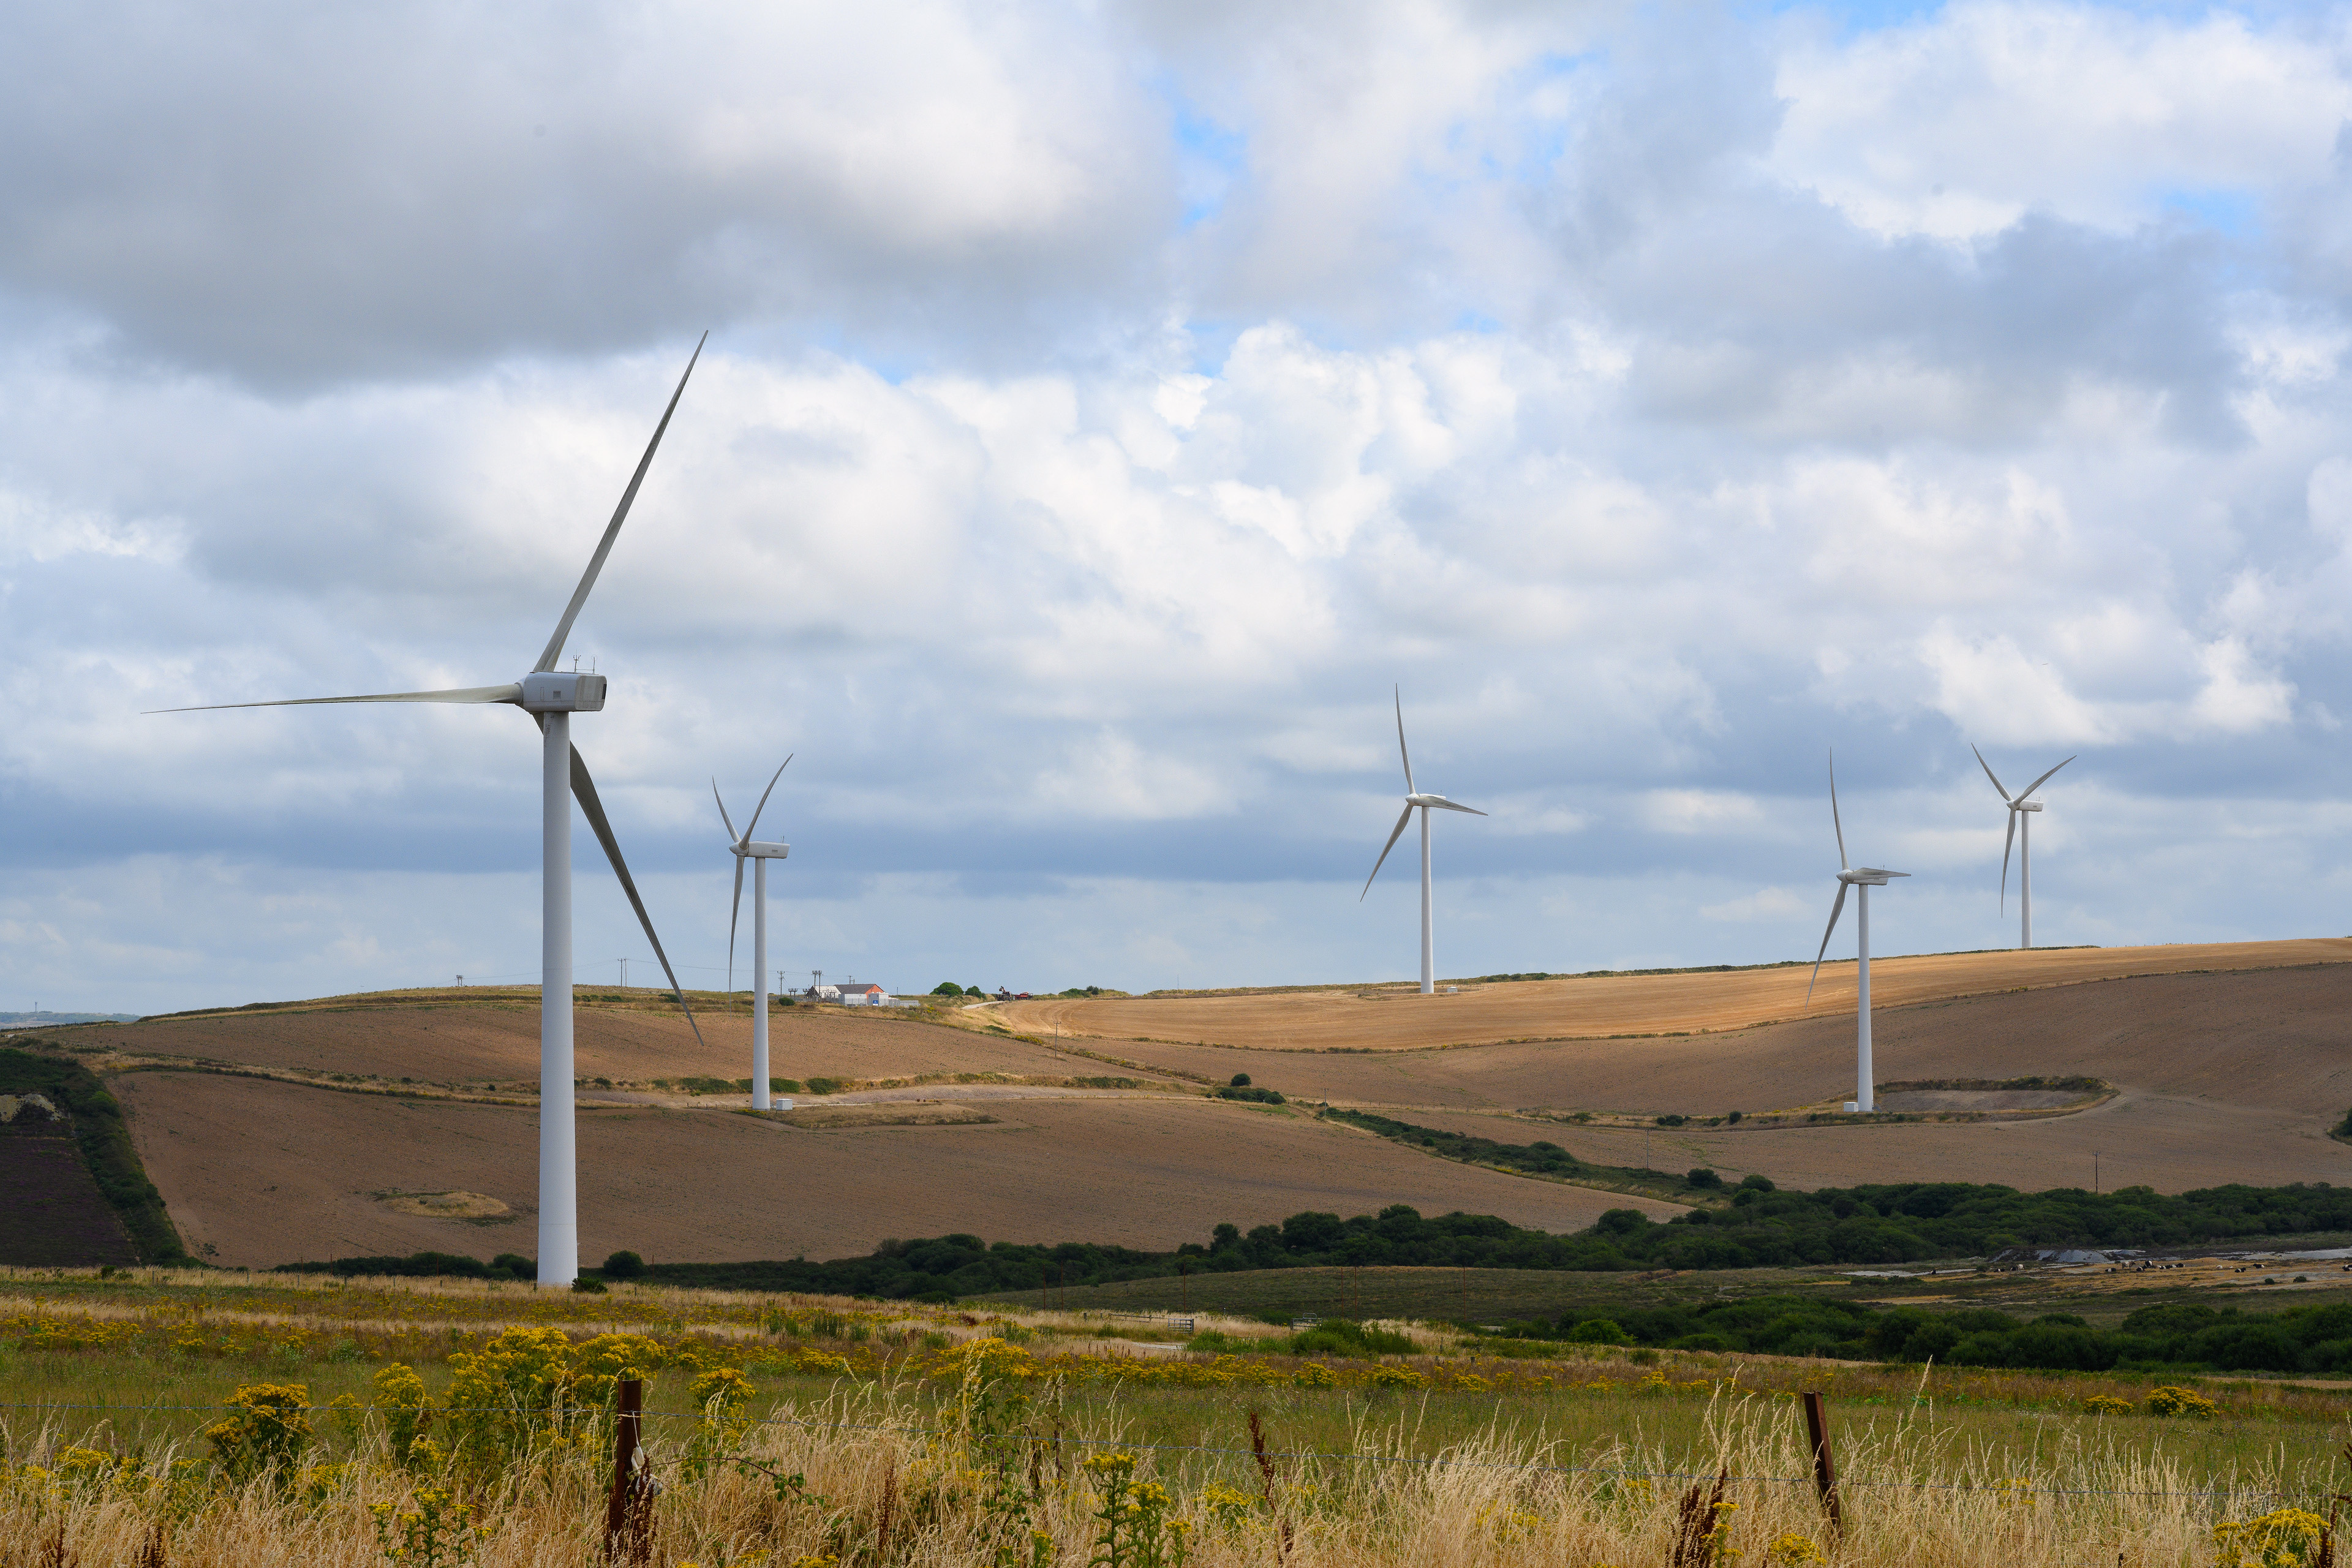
(472, 1038)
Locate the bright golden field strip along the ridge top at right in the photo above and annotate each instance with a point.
(1401, 1019)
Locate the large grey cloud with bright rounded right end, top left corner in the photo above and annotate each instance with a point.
(293, 196)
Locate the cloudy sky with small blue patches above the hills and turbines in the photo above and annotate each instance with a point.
(1109, 410)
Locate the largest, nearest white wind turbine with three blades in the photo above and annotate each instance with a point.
(552, 697)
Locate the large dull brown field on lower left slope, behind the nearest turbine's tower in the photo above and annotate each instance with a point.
(262, 1174)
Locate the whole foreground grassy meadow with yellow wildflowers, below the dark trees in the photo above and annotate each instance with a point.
(940, 1435)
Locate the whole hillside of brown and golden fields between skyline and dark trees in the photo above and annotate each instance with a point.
(345, 1125)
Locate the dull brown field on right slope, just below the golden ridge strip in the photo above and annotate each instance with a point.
(2224, 1078)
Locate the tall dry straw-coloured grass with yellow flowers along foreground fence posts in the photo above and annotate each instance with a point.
(886, 1477)
